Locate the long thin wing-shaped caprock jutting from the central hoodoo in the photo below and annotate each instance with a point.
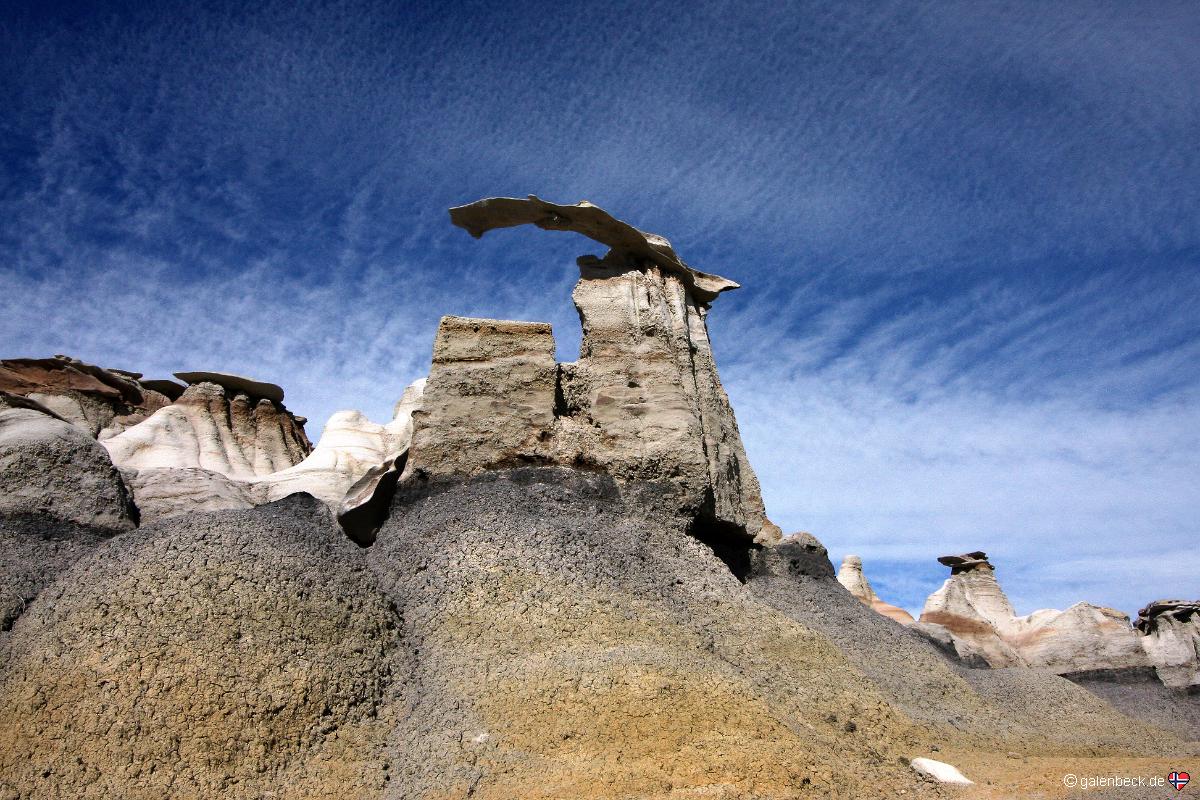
(593, 222)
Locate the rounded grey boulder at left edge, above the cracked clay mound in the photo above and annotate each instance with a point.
(52, 467)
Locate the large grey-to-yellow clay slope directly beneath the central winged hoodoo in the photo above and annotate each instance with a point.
(572, 645)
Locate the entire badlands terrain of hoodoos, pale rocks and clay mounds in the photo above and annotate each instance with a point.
(538, 580)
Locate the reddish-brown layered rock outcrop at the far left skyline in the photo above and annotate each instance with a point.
(100, 401)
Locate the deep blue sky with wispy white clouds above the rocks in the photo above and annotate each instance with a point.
(968, 234)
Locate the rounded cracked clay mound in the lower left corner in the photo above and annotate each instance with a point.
(233, 654)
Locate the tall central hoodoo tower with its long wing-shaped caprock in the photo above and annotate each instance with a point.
(643, 404)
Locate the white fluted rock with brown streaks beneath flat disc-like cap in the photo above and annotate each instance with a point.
(217, 430)
